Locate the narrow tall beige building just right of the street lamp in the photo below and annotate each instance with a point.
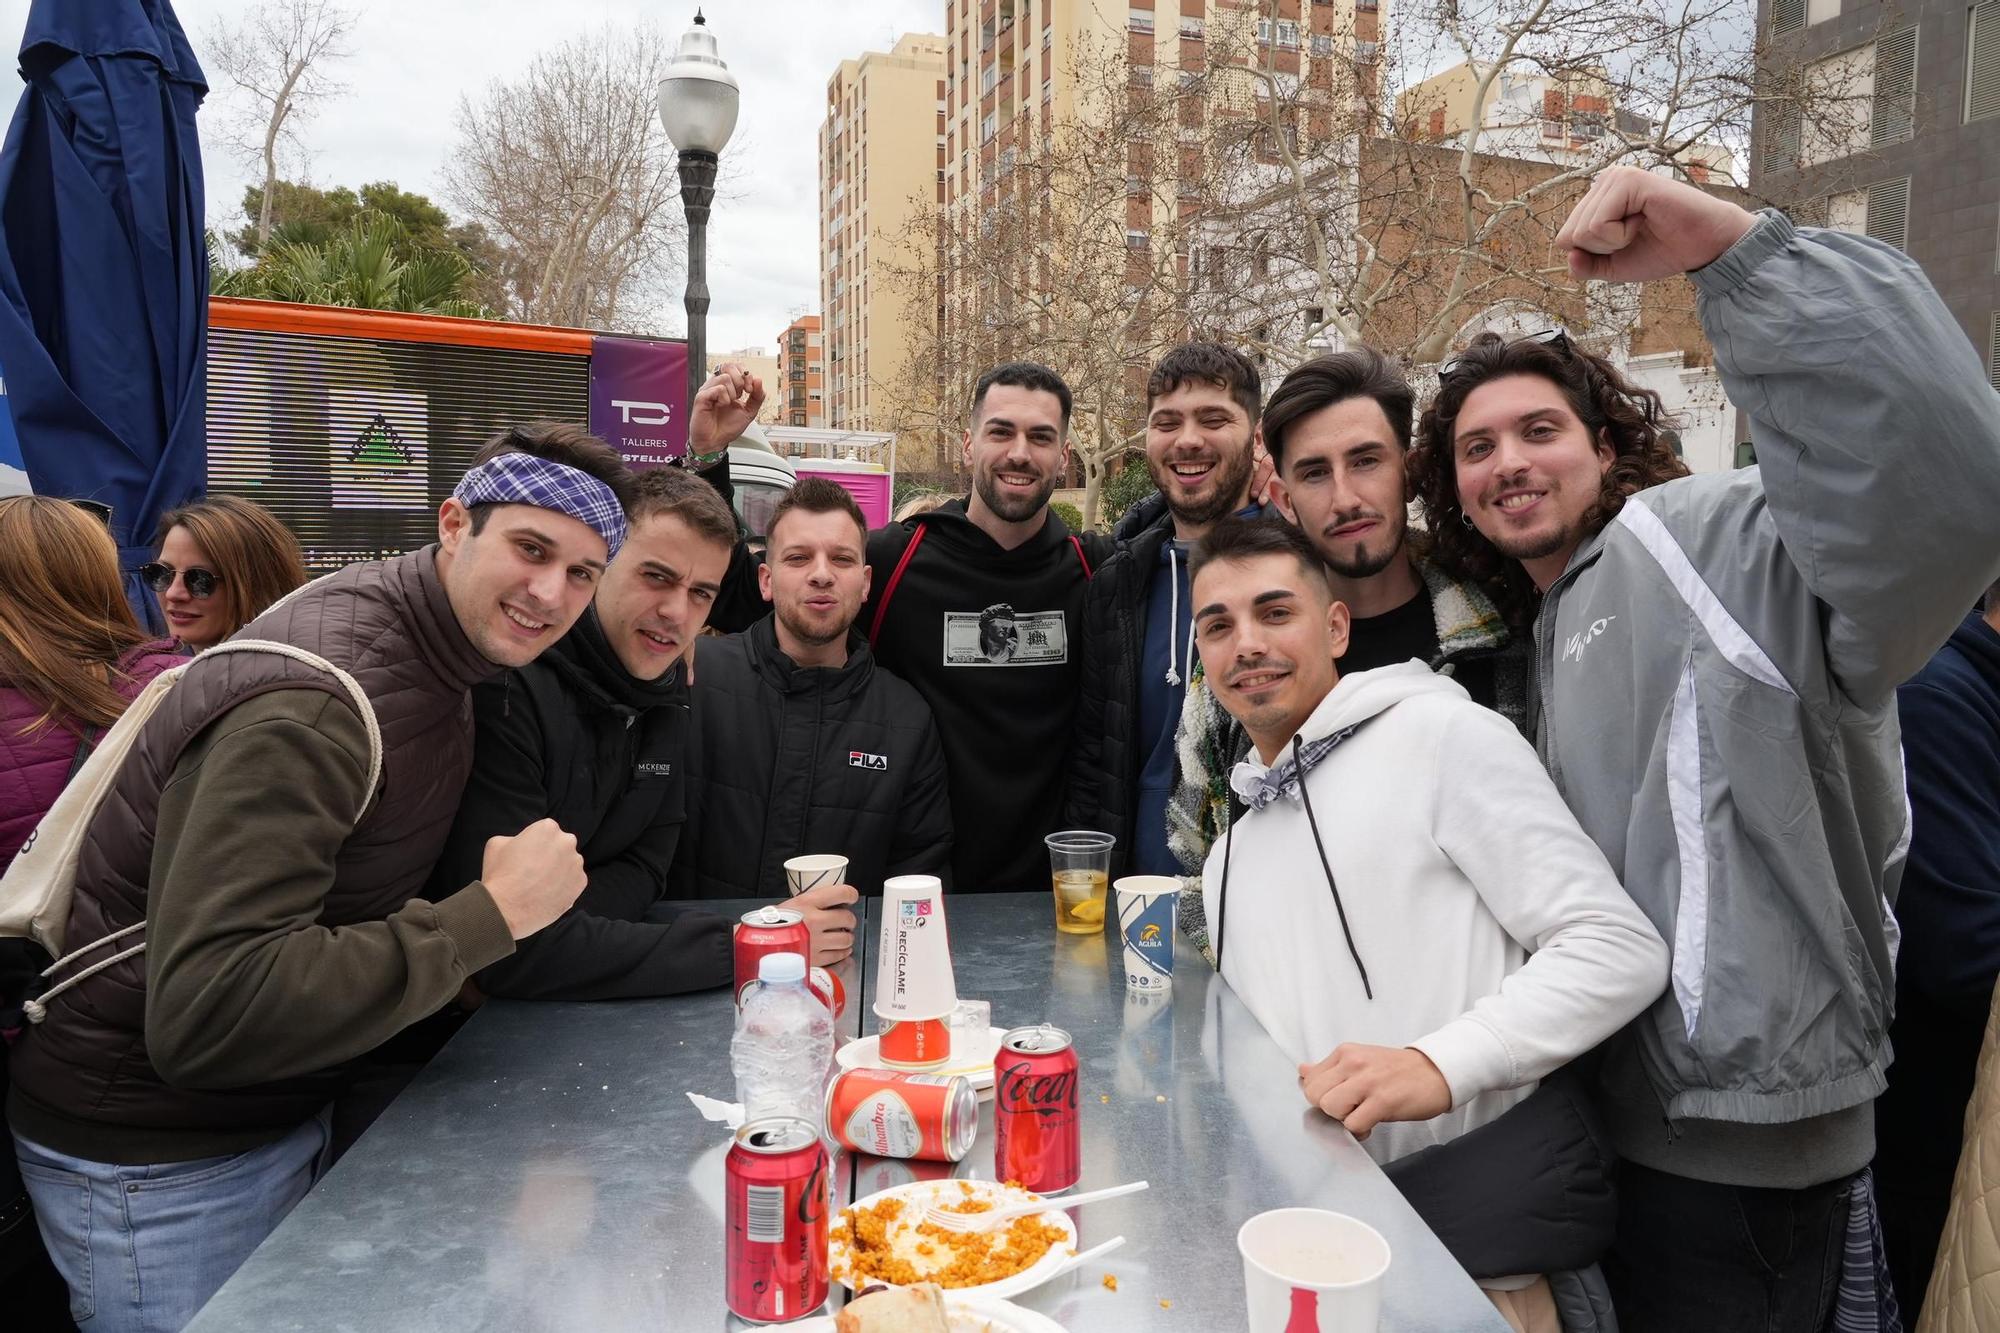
(881, 161)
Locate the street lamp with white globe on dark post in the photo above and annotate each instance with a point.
(699, 113)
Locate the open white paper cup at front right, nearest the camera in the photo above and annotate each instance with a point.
(1313, 1270)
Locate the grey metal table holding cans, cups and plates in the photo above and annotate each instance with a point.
(547, 1170)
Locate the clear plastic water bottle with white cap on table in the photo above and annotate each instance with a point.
(783, 1044)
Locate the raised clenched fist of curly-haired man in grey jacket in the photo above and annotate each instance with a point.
(1639, 227)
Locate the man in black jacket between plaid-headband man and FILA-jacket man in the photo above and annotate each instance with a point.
(593, 736)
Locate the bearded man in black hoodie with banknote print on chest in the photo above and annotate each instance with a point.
(977, 605)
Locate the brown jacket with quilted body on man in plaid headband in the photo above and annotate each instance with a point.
(85, 1082)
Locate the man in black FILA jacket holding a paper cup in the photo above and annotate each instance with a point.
(799, 742)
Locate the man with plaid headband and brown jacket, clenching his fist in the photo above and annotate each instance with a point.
(175, 1106)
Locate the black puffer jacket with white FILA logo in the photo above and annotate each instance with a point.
(791, 762)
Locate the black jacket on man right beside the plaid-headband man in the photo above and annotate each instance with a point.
(577, 740)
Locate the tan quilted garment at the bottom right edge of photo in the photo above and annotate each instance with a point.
(1965, 1286)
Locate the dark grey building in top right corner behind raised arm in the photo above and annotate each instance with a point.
(1885, 119)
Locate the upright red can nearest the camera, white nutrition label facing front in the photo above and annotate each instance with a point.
(775, 1220)
